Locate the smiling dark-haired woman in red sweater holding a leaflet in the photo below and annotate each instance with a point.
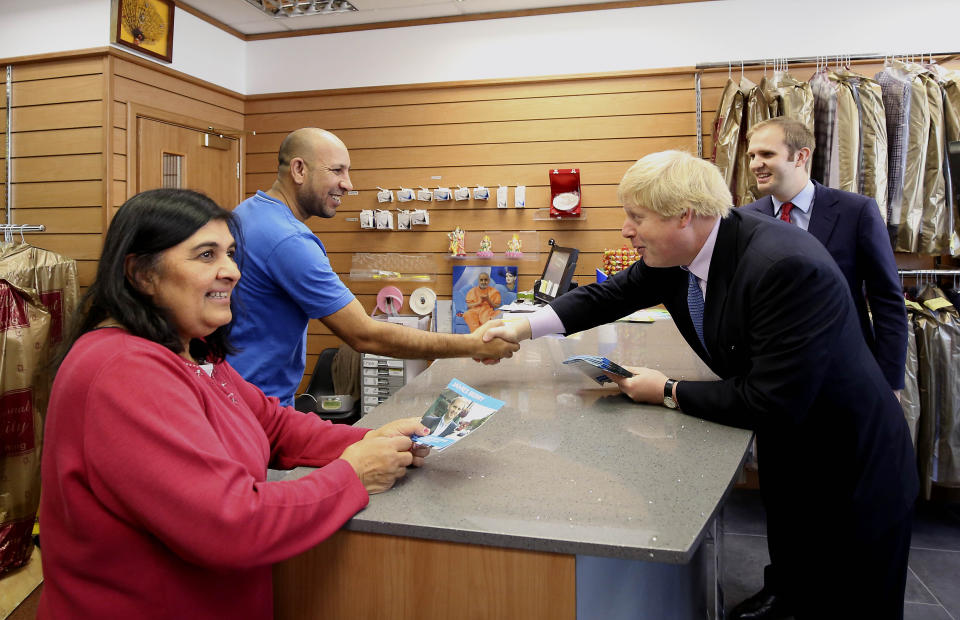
(155, 501)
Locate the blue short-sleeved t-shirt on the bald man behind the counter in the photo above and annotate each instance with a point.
(286, 280)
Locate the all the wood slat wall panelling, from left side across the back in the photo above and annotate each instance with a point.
(72, 164)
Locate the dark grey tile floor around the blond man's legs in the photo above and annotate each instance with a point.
(933, 581)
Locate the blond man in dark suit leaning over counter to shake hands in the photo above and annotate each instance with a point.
(768, 310)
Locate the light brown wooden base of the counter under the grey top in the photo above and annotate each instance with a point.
(358, 575)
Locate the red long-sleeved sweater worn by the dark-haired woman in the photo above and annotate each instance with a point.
(154, 501)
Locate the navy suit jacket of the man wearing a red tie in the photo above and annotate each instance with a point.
(850, 227)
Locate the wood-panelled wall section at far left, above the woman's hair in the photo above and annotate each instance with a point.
(60, 154)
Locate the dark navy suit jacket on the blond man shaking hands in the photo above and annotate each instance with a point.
(781, 332)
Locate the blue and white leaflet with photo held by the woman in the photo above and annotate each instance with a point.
(458, 411)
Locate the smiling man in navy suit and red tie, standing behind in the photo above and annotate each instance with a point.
(851, 228)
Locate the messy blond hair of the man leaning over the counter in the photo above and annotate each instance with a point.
(670, 182)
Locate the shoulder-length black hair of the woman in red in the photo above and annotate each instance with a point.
(145, 226)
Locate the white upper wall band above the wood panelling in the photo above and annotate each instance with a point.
(585, 42)
